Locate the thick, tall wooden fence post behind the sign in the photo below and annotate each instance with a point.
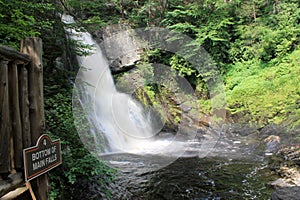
(33, 47)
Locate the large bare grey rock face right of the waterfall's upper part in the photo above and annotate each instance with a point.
(120, 47)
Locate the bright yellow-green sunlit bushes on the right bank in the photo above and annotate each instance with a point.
(267, 94)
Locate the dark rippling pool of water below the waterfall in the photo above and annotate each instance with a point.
(234, 169)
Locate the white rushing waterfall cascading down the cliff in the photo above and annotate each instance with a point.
(116, 115)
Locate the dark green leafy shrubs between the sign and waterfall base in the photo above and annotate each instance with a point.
(78, 164)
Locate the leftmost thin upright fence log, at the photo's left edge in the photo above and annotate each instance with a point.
(4, 119)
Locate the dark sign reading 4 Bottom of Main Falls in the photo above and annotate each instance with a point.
(41, 158)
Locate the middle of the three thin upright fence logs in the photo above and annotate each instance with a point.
(15, 115)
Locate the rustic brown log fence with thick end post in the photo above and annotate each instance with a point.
(22, 118)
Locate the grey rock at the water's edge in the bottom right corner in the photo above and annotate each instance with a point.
(286, 193)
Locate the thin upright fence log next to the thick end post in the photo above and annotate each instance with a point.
(24, 106)
